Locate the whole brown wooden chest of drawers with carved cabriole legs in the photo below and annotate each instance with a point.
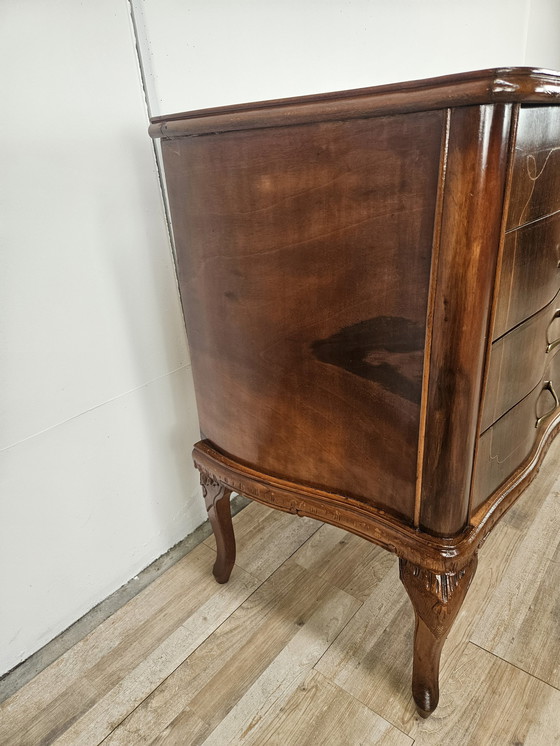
(370, 282)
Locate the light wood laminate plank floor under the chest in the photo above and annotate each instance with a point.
(310, 643)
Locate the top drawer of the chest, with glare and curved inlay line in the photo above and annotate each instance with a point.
(535, 188)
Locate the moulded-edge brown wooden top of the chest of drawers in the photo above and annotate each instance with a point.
(508, 84)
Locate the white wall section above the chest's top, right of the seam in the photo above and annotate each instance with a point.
(214, 52)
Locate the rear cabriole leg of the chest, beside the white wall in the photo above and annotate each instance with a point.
(216, 497)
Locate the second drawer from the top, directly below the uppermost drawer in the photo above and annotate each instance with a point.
(530, 274)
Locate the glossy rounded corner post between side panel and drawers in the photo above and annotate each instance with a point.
(471, 221)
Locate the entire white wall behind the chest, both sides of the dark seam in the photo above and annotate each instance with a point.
(98, 414)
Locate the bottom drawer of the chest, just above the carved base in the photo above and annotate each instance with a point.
(505, 445)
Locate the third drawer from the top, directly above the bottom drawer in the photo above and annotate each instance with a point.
(518, 361)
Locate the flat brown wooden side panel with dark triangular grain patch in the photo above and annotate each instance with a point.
(304, 262)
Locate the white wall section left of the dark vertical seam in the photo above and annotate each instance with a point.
(98, 417)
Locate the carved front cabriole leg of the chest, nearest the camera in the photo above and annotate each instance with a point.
(436, 598)
